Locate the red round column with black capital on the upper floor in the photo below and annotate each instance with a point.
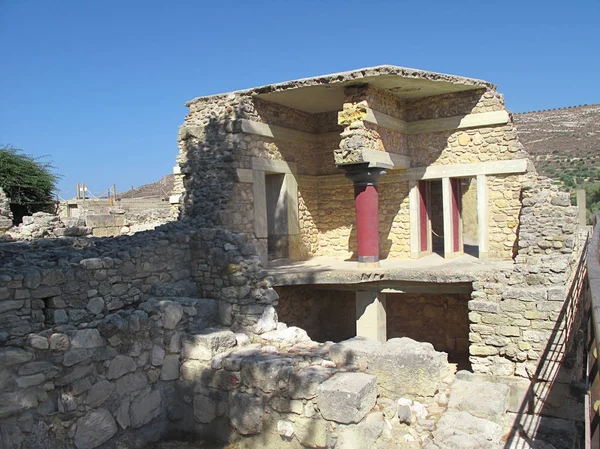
(366, 202)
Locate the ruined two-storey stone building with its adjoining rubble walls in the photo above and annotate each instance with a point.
(431, 285)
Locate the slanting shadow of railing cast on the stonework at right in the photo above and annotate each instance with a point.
(557, 385)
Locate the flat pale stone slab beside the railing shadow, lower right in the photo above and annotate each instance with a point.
(481, 399)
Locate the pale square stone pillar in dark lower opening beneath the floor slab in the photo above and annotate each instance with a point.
(371, 315)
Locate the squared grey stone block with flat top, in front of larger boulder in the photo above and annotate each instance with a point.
(347, 397)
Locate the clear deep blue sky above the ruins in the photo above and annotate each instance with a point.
(100, 86)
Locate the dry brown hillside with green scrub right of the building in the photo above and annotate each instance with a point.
(564, 143)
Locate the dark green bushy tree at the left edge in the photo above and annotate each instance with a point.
(29, 182)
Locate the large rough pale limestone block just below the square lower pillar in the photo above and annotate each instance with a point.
(407, 367)
